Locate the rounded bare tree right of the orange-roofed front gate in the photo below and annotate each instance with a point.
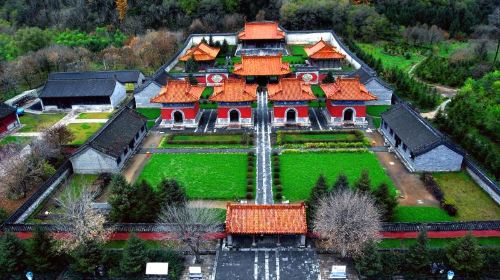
(347, 221)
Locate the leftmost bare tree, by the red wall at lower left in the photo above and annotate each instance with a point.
(86, 223)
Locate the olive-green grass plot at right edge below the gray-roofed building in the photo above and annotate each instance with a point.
(471, 201)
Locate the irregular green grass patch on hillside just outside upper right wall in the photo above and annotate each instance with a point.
(388, 60)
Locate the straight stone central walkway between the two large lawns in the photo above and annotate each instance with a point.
(264, 192)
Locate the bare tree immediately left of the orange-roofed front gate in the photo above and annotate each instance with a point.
(191, 224)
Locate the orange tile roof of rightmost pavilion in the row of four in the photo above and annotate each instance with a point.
(347, 89)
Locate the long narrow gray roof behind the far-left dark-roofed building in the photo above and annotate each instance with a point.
(123, 76)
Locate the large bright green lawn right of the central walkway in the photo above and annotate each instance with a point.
(299, 171)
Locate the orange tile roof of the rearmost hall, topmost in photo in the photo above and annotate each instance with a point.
(264, 30)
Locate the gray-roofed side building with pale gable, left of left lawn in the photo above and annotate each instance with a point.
(110, 147)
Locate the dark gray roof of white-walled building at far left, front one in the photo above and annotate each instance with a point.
(78, 88)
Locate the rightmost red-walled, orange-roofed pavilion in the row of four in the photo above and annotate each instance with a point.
(346, 102)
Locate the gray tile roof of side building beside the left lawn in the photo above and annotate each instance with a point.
(117, 133)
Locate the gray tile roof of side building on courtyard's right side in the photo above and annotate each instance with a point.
(413, 130)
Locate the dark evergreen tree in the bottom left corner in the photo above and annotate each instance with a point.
(12, 256)
